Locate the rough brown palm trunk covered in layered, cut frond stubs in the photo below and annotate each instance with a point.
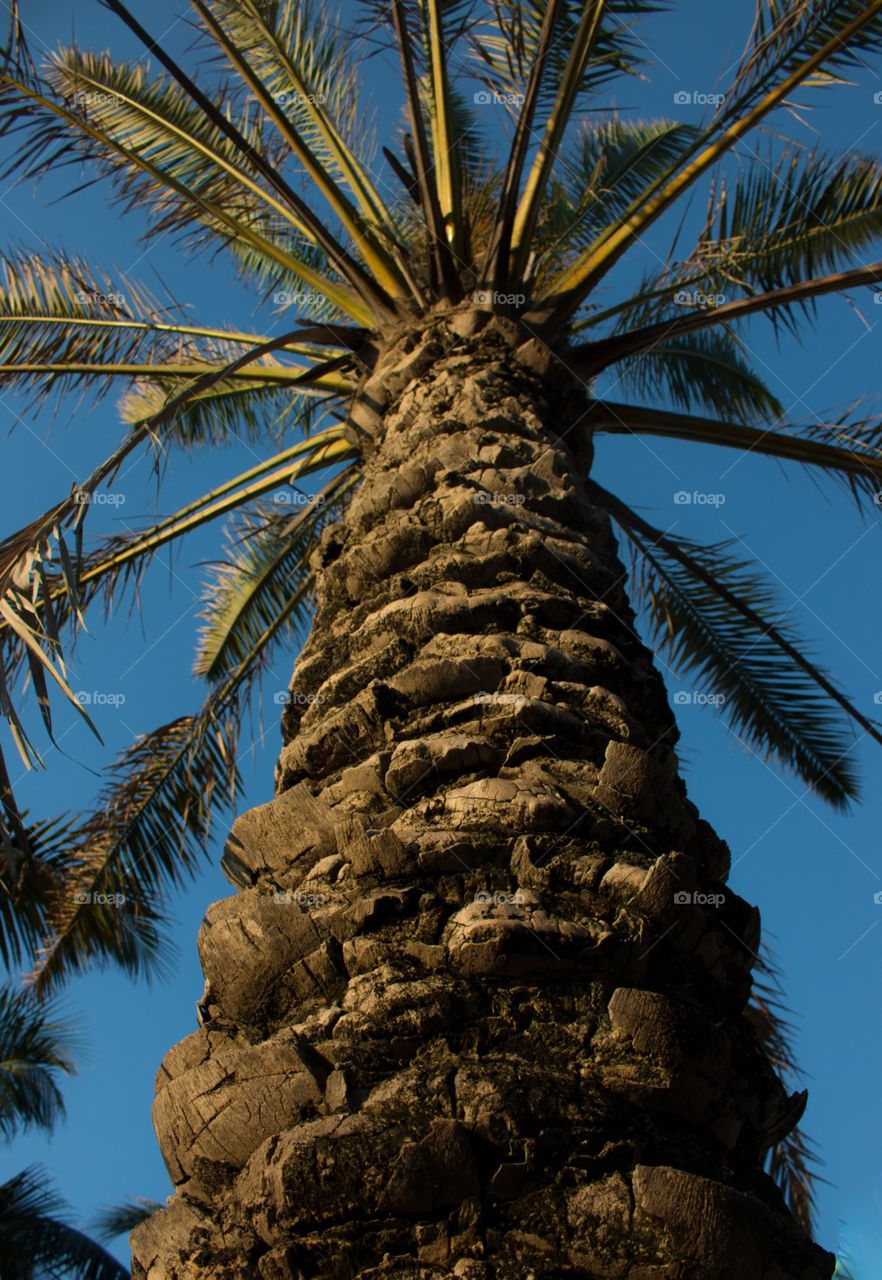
(478, 1007)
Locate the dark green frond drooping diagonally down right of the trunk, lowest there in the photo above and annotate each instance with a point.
(716, 619)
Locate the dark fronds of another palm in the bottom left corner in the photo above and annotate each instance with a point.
(36, 1241)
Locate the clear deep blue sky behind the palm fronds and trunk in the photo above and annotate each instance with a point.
(814, 872)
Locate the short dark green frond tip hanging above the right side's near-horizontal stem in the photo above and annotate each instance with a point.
(701, 371)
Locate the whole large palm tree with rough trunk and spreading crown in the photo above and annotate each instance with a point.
(479, 1005)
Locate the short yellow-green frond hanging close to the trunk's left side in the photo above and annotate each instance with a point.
(268, 560)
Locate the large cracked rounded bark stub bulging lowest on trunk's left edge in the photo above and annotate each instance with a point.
(212, 1118)
